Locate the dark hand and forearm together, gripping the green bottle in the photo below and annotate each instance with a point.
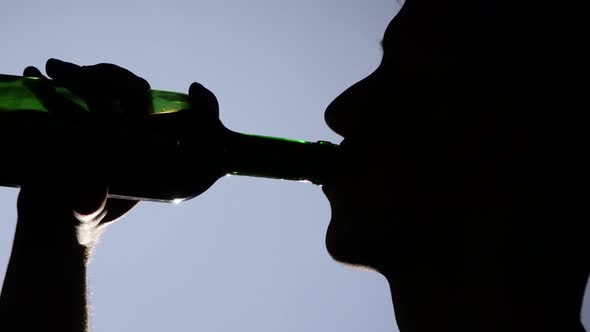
(60, 217)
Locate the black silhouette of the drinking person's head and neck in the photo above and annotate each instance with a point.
(444, 185)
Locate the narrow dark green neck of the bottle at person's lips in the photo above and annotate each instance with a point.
(279, 158)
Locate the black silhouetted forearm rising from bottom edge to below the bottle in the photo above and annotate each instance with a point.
(45, 283)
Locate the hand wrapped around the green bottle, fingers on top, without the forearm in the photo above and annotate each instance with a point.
(110, 91)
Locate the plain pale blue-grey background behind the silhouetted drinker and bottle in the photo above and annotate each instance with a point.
(248, 255)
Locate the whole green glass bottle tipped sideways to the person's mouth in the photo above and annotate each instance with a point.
(172, 154)
